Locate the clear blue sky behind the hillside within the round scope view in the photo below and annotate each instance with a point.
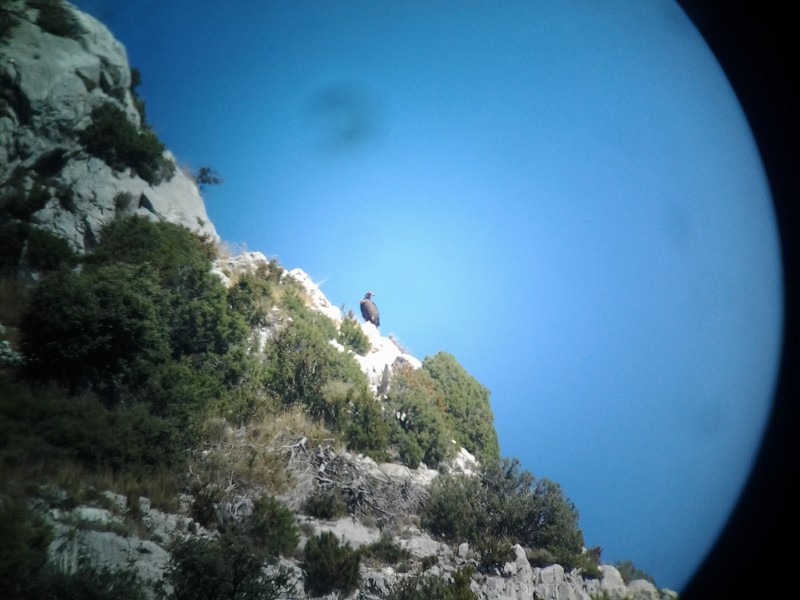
(565, 196)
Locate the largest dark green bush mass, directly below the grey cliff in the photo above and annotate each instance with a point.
(150, 334)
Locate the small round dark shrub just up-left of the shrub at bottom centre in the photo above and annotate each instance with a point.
(272, 528)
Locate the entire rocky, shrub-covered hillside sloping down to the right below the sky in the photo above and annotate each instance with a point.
(180, 422)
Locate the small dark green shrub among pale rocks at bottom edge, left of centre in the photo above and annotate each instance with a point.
(328, 566)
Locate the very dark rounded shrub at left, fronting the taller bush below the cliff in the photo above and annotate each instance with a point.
(93, 328)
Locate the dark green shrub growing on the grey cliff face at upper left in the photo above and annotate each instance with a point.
(121, 145)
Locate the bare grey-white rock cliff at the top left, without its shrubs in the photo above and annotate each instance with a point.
(49, 85)
